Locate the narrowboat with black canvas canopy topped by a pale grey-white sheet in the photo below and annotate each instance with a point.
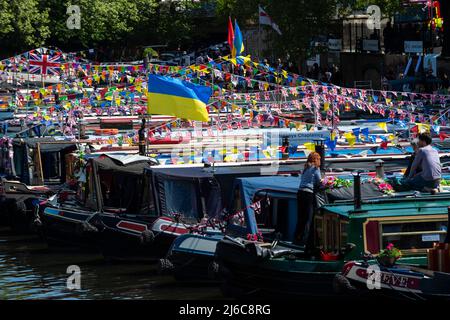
(106, 183)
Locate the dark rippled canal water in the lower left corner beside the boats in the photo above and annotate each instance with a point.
(29, 269)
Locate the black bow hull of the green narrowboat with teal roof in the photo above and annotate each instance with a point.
(248, 276)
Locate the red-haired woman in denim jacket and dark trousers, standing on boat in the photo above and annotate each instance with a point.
(309, 183)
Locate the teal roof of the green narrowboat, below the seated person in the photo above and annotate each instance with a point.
(394, 207)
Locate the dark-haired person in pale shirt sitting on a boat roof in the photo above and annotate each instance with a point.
(426, 168)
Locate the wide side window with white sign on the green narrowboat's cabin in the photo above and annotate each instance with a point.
(413, 236)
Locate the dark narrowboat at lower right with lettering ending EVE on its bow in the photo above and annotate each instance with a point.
(398, 279)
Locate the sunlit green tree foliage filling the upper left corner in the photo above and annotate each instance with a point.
(26, 24)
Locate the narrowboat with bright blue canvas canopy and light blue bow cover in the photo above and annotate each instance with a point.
(191, 257)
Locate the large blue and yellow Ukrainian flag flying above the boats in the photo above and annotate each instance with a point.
(174, 97)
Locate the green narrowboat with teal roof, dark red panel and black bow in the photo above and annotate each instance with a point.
(343, 231)
